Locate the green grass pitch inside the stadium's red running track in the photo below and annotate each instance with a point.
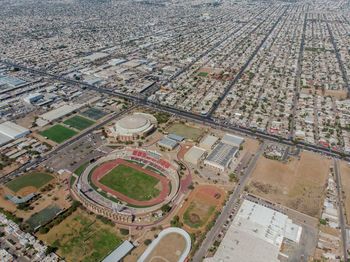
(131, 182)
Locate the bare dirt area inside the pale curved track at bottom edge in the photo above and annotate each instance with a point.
(169, 248)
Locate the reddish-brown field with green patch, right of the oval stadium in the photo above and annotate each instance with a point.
(201, 205)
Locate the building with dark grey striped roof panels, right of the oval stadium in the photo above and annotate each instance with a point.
(221, 156)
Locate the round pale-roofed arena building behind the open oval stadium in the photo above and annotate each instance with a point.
(132, 127)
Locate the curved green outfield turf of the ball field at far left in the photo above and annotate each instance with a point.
(34, 179)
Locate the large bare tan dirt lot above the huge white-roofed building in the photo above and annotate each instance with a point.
(298, 184)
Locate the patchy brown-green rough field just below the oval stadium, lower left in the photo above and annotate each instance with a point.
(82, 236)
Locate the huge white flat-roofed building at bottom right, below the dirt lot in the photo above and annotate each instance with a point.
(256, 234)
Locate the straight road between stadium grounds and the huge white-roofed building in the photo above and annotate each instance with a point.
(227, 209)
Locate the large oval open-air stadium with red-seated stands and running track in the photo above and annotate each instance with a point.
(128, 186)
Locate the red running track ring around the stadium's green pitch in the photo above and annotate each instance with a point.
(105, 168)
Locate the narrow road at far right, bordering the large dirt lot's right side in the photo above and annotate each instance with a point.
(342, 219)
